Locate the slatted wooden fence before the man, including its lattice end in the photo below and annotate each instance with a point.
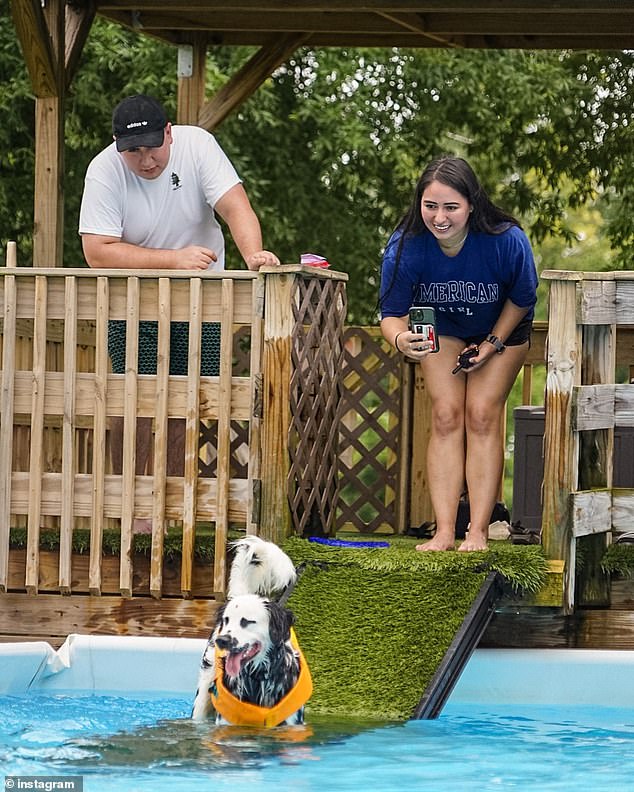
(245, 455)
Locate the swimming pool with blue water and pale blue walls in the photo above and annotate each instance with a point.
(524, 720)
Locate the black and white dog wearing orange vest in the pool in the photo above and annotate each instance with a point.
(252, 670)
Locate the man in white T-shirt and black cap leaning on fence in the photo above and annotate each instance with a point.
(150, 201)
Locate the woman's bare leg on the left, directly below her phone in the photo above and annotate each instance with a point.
(446, 450)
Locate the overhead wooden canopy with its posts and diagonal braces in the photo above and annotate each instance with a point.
(53, 33)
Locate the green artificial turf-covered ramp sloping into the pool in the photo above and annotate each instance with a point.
(375, 624)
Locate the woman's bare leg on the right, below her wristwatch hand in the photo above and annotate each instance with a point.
(487, 392)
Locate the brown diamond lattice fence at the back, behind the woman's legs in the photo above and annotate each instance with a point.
(384, 427)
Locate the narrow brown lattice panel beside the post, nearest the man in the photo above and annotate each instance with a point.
(315, 396)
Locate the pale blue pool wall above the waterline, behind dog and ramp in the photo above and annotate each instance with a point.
(169, 666)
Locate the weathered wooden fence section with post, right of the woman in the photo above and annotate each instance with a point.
(583, 404)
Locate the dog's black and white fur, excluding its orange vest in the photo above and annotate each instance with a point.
(261, 666)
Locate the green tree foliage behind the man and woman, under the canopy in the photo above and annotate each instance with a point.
(331, 145)
